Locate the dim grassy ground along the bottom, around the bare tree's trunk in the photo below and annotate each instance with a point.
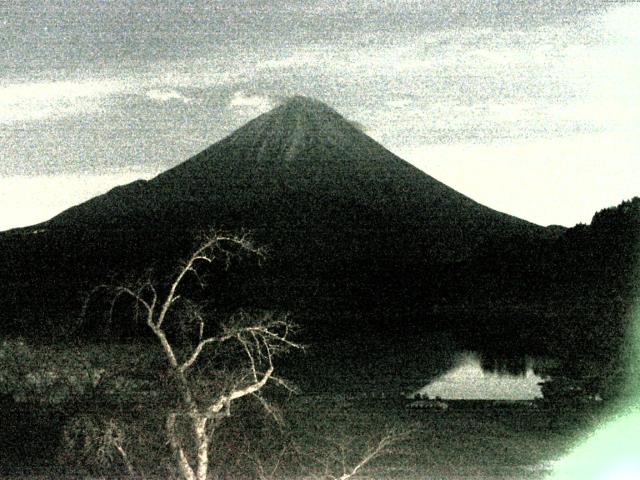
(469, 440)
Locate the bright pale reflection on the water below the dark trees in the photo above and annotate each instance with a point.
(470, 379)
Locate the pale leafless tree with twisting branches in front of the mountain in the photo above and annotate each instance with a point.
(217, 364)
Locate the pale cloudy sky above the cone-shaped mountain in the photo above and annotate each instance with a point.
(529, 107)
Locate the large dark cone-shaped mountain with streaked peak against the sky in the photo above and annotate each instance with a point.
(348, 224)
